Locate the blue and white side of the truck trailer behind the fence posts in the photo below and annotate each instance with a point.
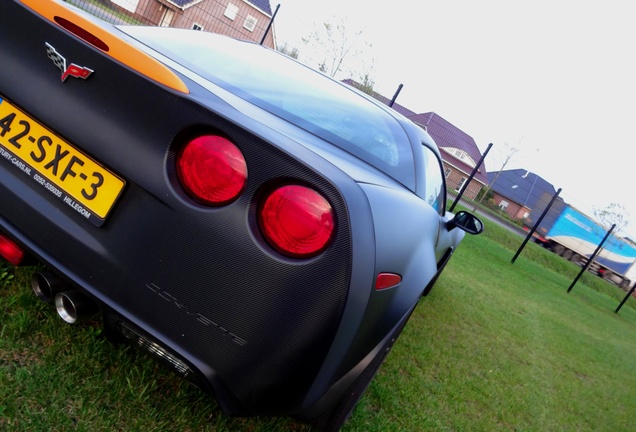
(578, 232)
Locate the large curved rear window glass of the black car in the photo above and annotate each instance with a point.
(294, 92)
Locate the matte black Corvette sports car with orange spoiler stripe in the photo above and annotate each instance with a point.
(264, 230)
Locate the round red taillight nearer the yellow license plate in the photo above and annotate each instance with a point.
(212, 170)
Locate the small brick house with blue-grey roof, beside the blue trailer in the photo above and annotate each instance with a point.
(520, 193)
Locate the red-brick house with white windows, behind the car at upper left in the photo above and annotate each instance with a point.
(241, 19)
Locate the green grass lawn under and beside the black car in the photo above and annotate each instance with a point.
(494, 347)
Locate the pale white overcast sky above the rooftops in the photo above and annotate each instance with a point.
(553, 79)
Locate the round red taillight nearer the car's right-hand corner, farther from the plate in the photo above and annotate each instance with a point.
(297, 221)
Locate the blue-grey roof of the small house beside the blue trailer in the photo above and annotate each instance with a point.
(523, 187)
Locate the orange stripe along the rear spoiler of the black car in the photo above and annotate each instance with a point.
(119, 49)
